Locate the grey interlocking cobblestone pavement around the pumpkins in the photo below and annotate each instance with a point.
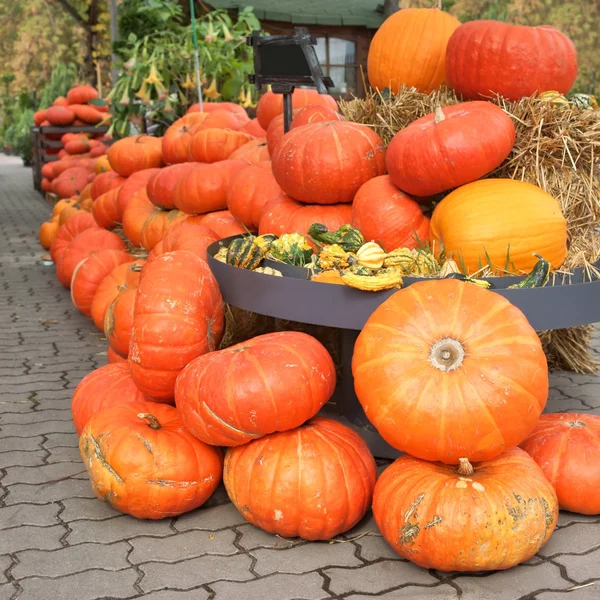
(57, 541)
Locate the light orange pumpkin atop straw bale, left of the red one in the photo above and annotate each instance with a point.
(409, 49)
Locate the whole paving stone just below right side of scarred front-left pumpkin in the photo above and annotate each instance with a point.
(190, 544)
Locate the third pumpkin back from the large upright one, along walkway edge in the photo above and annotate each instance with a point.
(90, 272)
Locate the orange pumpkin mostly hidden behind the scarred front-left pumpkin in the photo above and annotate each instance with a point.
(105, 387)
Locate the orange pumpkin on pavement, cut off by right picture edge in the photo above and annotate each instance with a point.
(567, 448)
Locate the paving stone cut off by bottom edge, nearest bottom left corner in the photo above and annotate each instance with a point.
(91, 585)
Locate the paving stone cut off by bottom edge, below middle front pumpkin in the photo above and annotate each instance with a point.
(308, 586)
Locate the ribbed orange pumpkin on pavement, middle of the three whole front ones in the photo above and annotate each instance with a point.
(313, 482)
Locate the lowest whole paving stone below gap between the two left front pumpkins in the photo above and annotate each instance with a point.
(195, 572)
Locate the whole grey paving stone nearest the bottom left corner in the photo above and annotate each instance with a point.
(66, 561)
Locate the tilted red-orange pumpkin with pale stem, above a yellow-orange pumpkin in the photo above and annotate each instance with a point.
(450, 148)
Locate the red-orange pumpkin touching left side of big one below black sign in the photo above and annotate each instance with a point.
(249, 191)
